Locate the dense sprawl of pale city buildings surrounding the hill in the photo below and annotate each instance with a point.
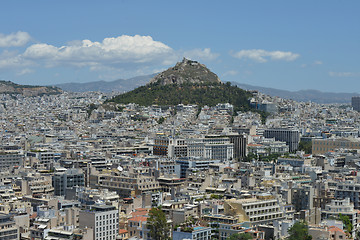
(72, 168)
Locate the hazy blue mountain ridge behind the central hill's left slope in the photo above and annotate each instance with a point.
(120, 85)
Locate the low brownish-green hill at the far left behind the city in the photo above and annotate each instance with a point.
(8, 87)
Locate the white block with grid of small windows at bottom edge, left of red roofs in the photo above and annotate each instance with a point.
(103, 219)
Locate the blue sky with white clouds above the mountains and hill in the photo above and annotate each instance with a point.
(290, 45)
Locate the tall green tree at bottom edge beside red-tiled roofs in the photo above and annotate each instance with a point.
(157, 223)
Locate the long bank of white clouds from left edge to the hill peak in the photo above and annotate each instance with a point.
(124, 56)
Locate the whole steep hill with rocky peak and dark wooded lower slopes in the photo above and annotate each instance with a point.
(188, 82)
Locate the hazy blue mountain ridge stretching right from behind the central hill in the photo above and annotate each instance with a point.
(303, 95)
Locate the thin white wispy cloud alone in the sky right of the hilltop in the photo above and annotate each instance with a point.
(262, 56)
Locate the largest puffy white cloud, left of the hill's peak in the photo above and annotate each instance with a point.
(111, 51)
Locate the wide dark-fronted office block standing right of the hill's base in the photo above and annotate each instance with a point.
(290, 136)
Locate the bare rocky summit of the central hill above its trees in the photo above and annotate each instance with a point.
(186, 71)
